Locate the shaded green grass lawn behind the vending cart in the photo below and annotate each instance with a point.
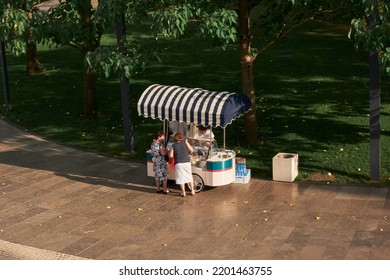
(312, 99)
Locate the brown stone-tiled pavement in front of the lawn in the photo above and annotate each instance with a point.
(57, 202)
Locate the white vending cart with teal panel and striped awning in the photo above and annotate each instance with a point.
(193, 107)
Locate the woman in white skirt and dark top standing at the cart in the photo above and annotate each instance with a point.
(180, 152)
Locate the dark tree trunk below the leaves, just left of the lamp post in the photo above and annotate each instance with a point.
(89, 91)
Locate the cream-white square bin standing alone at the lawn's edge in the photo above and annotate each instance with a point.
(285, 167)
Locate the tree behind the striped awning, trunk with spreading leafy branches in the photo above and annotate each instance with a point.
(255, 24)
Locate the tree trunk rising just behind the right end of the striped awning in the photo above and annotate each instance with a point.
(251, 129)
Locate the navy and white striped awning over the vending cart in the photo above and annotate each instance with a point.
(192, 105)
